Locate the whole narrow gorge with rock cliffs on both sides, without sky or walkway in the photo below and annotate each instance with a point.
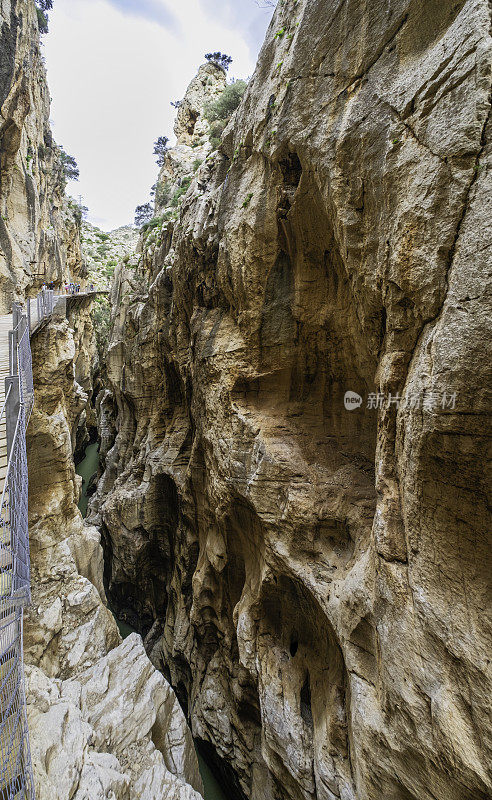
(289, 391)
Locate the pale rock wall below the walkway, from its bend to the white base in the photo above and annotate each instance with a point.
(103, 722)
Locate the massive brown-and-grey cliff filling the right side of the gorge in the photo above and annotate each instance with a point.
(313, 579)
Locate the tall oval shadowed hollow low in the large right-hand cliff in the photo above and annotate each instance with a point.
(305, 689)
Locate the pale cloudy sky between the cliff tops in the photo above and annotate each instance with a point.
(113, 68)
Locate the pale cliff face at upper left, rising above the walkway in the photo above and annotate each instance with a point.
(39, 227)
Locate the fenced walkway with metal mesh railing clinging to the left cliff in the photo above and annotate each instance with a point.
(16, 404)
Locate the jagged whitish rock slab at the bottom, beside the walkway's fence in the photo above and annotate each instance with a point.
(114, 732)
